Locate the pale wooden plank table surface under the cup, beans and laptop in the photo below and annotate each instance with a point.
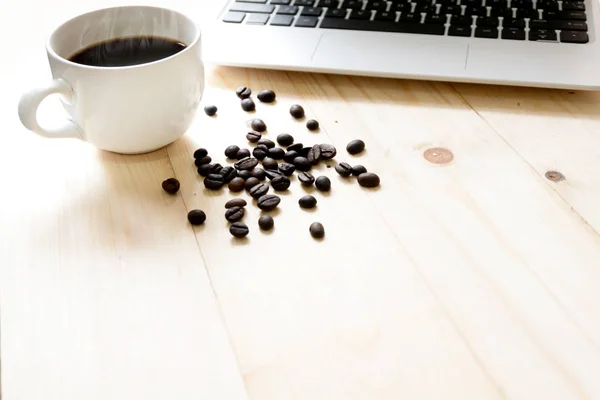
(475, 280)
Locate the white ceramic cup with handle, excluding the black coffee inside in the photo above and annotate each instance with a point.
(132, 109)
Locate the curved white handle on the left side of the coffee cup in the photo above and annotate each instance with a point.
(30, 102)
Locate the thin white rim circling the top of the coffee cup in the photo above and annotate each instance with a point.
(53, 53)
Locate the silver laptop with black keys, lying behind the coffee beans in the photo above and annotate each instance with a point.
(538, 43)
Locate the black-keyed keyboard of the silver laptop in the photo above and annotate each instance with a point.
(534, 20)
